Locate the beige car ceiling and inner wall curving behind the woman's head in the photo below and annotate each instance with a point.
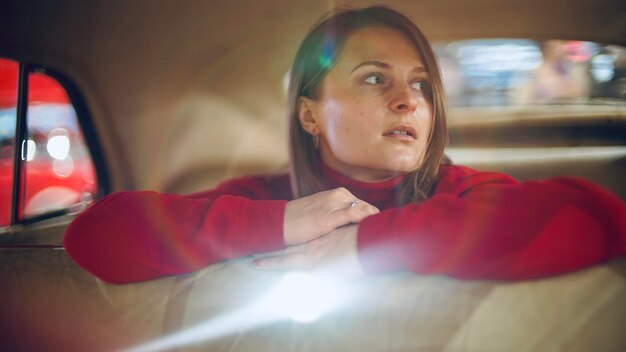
(170, 83)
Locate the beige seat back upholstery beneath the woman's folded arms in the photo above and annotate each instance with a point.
(48, 301)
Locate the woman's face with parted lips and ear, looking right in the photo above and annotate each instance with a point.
(374, 114)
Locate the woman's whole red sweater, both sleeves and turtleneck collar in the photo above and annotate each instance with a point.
(476, 225)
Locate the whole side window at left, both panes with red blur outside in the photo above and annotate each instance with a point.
(56, 169)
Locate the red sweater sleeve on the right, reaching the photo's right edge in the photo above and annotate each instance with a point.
(488, 226)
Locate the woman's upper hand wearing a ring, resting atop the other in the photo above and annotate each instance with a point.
(316, 215)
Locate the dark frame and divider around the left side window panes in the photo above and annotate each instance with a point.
(14, 234)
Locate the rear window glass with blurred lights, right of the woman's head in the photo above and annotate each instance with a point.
(503, 72)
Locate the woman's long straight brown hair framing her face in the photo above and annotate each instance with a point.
(316, 56)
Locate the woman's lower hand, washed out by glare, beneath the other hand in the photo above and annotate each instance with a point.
(334, 254)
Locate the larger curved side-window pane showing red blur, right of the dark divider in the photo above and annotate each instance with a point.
(59, 171)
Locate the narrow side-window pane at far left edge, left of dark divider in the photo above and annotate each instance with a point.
(8, 101)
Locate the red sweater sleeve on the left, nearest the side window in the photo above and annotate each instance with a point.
(136, 236)
